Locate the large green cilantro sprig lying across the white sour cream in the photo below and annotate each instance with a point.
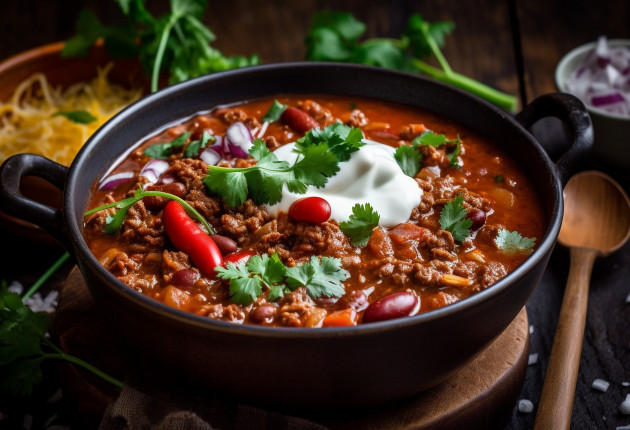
(320, 152)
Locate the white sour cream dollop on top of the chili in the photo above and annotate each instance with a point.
(370, 176)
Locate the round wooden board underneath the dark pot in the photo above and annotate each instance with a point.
(481, 395)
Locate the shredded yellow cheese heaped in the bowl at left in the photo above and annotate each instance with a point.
(27, 123)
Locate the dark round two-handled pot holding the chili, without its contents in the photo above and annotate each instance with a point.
(353, 366)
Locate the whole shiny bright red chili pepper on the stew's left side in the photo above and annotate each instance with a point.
(188, 237)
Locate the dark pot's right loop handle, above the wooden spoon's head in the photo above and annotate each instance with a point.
(570, 110)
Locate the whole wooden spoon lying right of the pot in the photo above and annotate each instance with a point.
(596, 223)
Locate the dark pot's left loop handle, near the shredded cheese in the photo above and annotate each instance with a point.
(13, 202)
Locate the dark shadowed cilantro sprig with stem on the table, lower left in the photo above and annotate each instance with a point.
(23, 346)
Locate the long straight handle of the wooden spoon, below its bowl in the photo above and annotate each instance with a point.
(556, 399)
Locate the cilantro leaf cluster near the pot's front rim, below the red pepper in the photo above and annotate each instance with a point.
(321, 278)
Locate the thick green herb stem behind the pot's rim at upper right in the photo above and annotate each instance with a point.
(497, 98)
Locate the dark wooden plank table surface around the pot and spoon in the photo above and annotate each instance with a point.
(511, 45)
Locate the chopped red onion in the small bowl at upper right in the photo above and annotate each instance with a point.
(602, 79)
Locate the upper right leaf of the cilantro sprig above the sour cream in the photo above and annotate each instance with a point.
(341, 140)
